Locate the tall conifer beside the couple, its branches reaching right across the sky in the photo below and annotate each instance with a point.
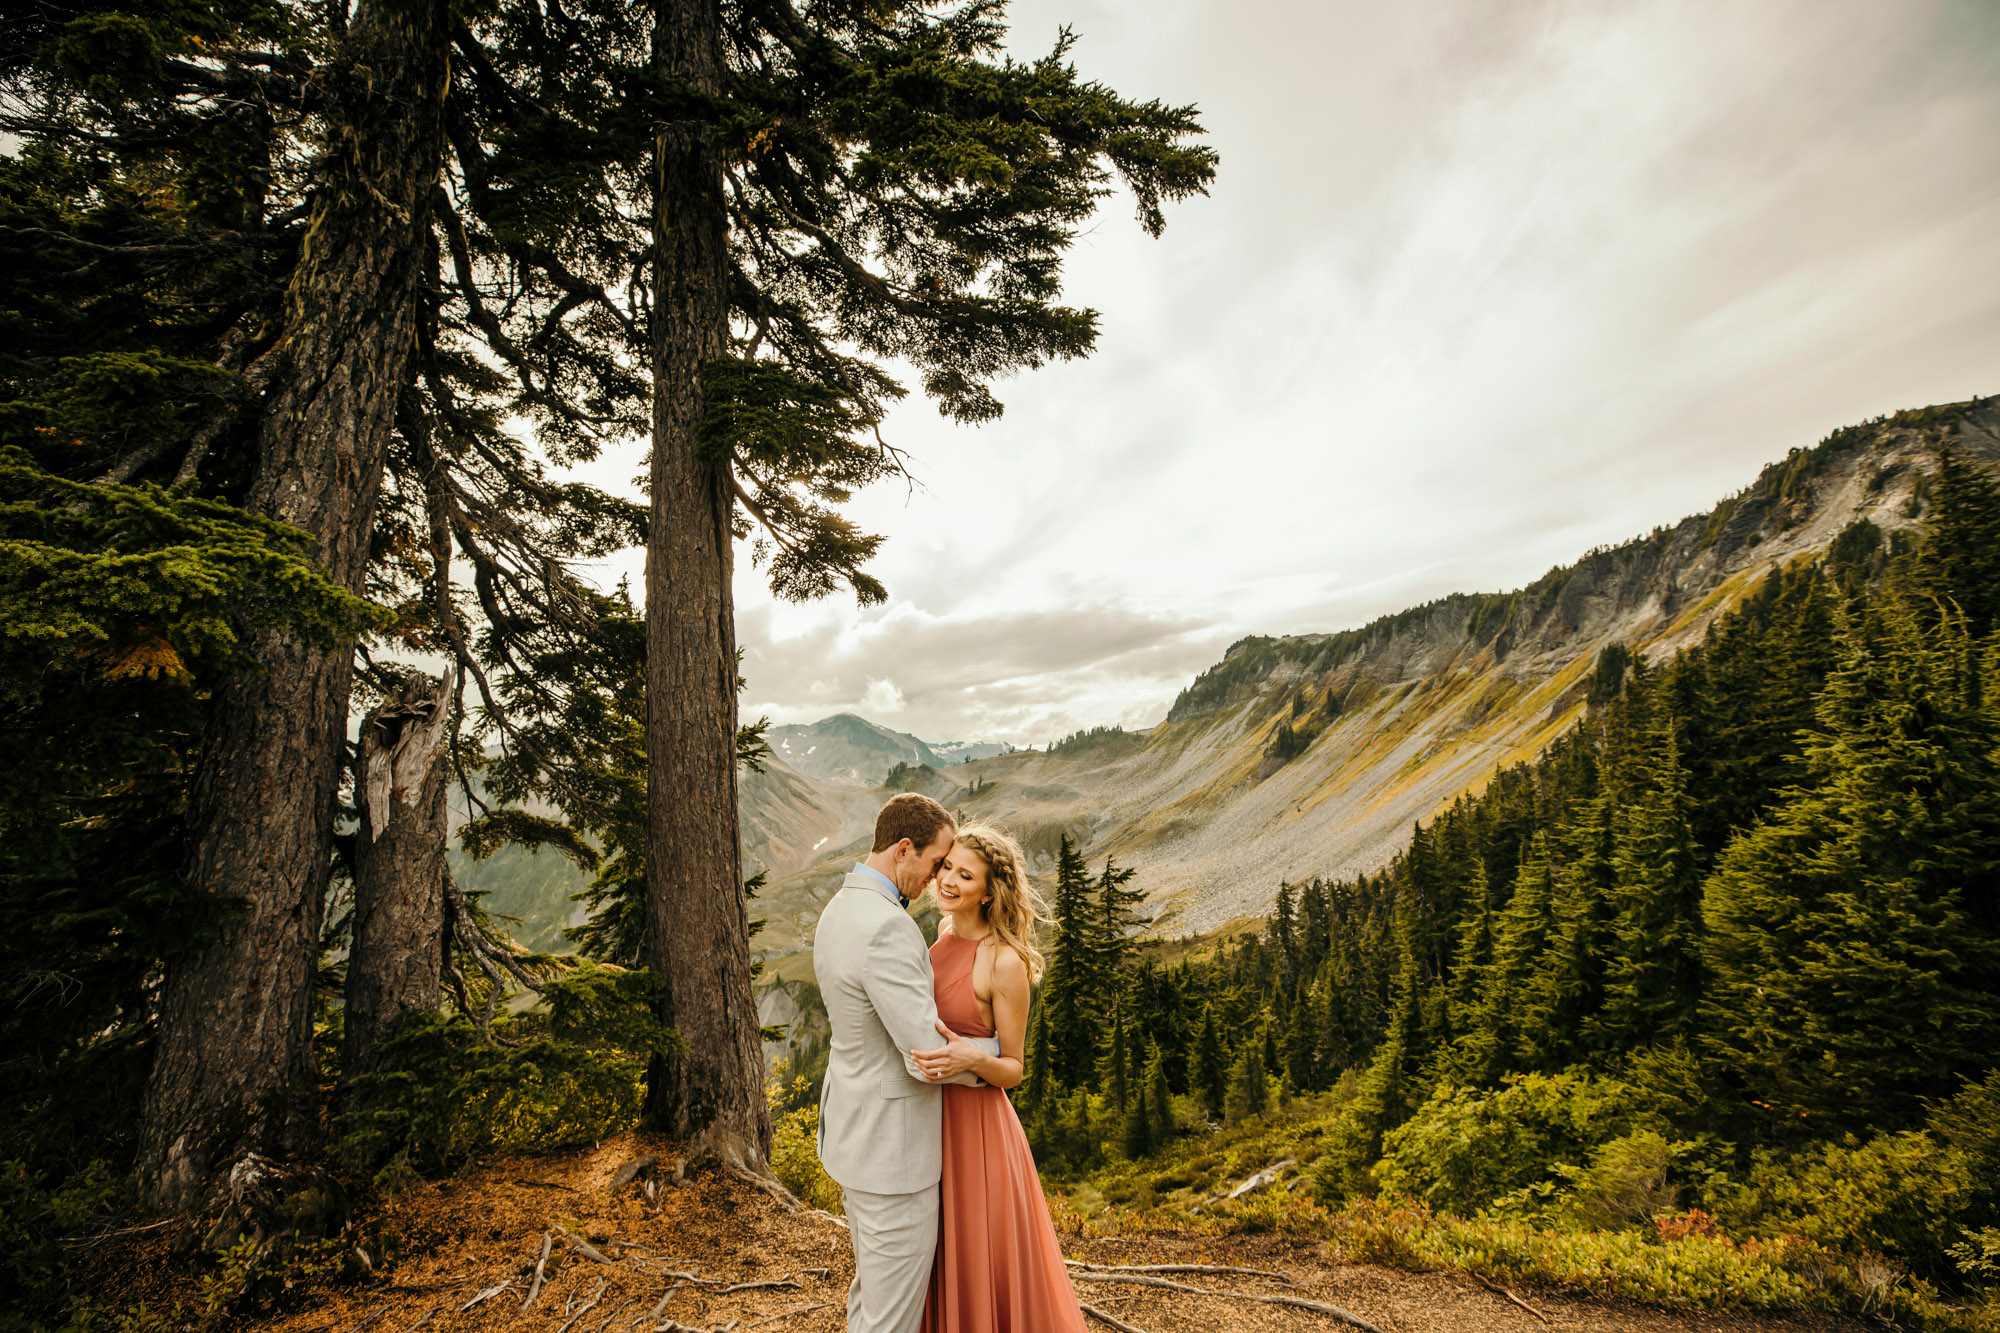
(803, 231)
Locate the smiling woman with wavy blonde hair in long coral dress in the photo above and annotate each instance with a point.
(999, 1268)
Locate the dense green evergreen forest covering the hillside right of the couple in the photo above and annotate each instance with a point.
(1723, 962)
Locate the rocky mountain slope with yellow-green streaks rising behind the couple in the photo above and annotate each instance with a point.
(1315, 754)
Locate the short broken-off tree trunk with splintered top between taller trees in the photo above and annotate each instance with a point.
(399, 868)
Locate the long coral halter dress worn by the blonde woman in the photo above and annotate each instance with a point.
(999, 1266)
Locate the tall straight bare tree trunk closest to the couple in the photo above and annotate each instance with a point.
(697, 924)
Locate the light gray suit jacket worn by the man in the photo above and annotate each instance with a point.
(879, 1116)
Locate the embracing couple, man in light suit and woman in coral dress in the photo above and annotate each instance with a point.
(951, 1232)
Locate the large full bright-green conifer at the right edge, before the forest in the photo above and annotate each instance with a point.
(1857, 970)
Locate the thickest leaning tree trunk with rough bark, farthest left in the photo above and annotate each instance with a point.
(233, 1068)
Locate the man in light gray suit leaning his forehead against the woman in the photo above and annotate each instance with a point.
(879, 1116)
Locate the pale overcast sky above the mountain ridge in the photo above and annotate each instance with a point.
(1479, 287)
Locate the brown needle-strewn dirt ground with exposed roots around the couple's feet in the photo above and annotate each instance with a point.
(717, 1254)
